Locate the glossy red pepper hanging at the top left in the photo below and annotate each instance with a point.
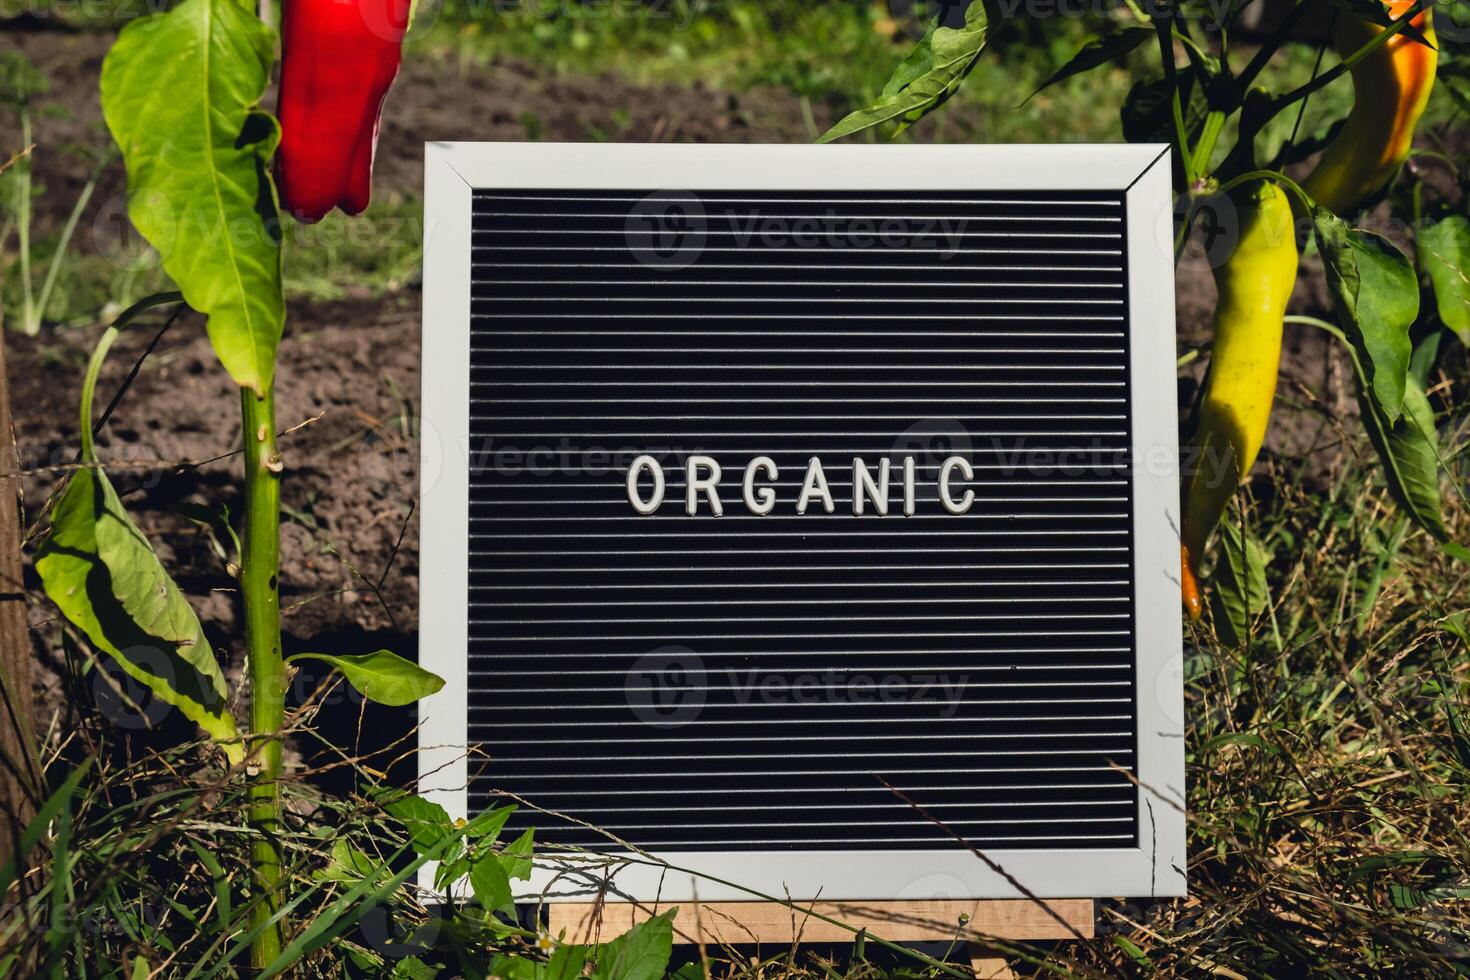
(339, 62)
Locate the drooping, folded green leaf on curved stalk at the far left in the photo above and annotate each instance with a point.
(107, 581)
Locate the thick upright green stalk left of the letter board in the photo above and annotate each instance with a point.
(259, 566)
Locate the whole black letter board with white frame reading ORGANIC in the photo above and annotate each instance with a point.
(761, 481)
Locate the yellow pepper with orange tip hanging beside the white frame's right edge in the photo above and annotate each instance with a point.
(1255, 286)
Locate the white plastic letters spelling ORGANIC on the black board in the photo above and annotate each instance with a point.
(702, 481)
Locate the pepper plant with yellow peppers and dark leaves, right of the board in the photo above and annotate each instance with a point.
(1231, 184)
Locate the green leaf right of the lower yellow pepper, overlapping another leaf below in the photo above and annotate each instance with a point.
(1377, 296)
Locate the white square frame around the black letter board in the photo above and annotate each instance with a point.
(1141, 174)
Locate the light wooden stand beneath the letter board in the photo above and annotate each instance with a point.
(737, 923)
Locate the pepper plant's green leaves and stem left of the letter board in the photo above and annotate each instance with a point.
(182, 96)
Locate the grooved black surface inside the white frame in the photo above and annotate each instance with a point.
(740, 682)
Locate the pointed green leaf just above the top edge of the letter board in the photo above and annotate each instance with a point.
(925, 80)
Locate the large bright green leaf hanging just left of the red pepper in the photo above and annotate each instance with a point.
(180, 93)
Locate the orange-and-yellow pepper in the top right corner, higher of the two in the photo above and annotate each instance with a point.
(1390, 89)
